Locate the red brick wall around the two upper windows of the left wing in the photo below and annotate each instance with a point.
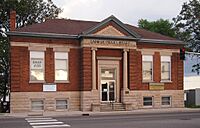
(20, 70)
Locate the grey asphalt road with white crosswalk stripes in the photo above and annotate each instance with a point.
(167, 120)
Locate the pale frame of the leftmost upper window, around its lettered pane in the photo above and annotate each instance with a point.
(30, 68)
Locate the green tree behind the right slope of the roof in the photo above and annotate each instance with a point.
(164, 27)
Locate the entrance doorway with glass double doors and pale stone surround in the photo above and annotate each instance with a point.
(109, 80)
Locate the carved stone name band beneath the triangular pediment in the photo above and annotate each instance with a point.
(106, 43)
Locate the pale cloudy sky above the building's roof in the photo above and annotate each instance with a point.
(128, 11)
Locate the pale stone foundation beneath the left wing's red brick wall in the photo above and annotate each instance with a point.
(21, 101)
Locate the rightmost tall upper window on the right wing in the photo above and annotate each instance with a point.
(165, 68)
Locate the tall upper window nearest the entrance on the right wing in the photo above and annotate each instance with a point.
(147, 68)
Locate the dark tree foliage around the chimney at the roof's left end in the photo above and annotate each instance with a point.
(28, 11)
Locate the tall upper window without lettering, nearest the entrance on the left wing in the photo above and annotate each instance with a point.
(61, 66)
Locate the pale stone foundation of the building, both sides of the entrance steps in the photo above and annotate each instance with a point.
(90, 100)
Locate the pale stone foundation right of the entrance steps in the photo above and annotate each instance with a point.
(136, 98)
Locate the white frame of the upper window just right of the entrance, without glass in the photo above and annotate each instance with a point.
(147, 58)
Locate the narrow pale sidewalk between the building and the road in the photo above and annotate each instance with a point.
(80, 113)
